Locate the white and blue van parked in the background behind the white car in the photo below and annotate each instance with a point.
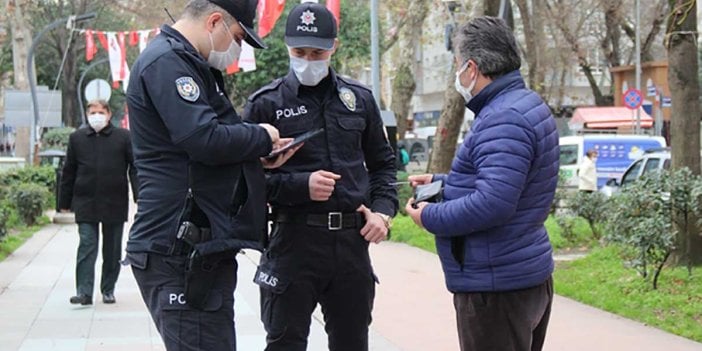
(615, 154)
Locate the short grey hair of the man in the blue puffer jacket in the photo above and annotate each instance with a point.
(490, 43)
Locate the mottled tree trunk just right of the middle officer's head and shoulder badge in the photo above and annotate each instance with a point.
(403, 84)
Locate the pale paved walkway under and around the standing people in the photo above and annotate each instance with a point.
(413, 310)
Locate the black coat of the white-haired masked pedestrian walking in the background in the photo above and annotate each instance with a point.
(94, 176)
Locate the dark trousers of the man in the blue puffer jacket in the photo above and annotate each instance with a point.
(504, 321)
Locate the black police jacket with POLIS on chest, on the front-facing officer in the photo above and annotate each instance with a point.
(353, 145)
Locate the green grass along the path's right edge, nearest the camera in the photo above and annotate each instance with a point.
(601, 280)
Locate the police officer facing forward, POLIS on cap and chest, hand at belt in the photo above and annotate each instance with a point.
(330, 200)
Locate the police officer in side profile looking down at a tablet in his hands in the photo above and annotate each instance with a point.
(201, 191)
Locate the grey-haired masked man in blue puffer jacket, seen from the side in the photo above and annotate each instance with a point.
(489, 228)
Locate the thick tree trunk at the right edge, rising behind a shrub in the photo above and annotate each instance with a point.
(684, 90)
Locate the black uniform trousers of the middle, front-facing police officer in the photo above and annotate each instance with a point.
(307, 265)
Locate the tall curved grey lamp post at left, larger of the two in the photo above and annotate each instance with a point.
(70, 22)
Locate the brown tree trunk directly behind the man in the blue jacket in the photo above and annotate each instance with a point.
(444, 146)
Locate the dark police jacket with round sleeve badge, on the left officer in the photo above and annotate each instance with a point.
(185, 132)
